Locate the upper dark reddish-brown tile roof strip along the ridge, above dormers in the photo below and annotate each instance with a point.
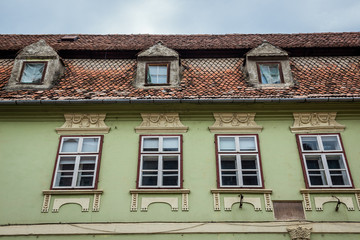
(186, 42)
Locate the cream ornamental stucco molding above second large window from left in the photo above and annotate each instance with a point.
(160, 122)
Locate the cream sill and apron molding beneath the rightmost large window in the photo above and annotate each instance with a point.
(320, 201)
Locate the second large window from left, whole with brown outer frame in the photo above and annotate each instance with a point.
(160, 161)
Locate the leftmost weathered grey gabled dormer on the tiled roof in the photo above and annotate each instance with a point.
(36, 53)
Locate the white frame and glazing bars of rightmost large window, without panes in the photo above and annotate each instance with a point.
(322, 153)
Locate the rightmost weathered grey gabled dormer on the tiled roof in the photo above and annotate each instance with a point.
(267, 54)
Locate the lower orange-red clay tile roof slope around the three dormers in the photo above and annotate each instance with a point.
(202, 79)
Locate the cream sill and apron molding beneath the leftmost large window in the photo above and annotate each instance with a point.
(59, 201)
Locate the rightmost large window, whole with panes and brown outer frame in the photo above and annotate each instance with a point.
(324, 161)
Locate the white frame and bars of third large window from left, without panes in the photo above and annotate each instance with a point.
(238, 168)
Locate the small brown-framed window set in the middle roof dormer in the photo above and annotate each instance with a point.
(157, 74)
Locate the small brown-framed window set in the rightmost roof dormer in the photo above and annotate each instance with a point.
(270, 72)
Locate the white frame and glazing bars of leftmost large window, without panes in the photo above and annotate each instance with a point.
(77, 155)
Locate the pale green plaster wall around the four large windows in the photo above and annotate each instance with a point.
(28, 152)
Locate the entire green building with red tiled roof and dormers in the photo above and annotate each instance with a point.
(180, 136)
